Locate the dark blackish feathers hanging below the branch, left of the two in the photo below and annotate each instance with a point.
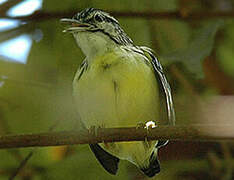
(108, 161)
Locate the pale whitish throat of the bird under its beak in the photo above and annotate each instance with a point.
(94, 43)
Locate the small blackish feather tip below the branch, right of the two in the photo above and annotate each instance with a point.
(153, 168)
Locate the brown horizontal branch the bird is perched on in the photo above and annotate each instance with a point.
(179, 133)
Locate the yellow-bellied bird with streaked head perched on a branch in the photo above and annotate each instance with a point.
(118, 84)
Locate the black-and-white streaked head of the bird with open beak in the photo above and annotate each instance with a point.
(98, 22)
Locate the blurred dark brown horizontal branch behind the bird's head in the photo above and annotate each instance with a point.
(43, 15)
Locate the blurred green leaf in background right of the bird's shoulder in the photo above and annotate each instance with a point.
(200, 46)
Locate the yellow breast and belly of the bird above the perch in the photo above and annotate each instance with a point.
(115, 90)
